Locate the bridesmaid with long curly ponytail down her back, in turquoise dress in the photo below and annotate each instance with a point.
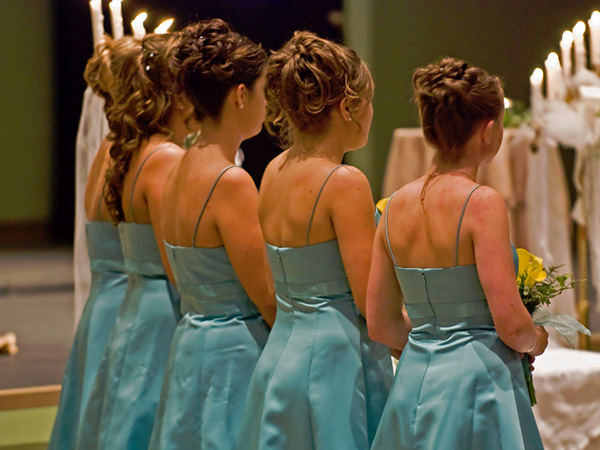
(147, 120)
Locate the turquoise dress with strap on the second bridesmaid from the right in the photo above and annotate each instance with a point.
(320, 382)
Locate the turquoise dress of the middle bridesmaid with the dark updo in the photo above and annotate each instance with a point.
(213, 353)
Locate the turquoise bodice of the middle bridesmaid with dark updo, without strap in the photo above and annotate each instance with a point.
(207, 282)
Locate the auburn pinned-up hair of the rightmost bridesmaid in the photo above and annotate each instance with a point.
(453, 97)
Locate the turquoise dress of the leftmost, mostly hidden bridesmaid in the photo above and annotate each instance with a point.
(108, 286)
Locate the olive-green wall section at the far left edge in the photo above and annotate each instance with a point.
(26, 77)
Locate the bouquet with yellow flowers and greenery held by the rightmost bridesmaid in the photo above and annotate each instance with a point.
(537, 286)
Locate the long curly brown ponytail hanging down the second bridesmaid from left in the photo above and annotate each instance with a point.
(143, 105)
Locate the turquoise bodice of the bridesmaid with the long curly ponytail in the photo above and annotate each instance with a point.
(140, 250)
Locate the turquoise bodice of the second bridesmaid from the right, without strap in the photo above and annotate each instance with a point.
(313, 270)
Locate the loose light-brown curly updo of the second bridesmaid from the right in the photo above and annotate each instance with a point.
(305, 79)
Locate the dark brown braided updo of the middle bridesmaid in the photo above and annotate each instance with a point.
(210, 60)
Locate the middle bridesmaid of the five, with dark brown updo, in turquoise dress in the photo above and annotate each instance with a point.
(214, 244)
